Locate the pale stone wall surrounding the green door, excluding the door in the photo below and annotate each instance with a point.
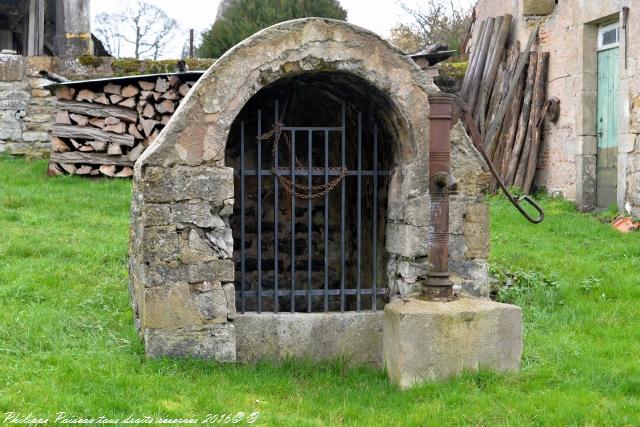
(569, 32)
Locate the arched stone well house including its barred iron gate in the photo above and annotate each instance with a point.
(207, 279)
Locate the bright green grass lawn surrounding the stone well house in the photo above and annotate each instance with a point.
(67, 341)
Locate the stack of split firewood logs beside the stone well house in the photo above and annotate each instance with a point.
(102, 131)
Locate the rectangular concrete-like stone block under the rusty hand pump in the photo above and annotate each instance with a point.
(426, 341)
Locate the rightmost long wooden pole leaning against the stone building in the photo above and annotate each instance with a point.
(539, 96)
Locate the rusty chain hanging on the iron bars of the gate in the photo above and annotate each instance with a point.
(298, 190)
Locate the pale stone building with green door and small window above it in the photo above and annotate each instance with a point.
(591, 155)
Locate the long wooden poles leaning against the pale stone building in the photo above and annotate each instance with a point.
(505, 89)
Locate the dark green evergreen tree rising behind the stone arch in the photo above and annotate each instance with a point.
(243, 18)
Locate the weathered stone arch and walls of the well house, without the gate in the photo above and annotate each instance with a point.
(181, 248)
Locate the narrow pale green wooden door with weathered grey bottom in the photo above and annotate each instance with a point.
(607, 127)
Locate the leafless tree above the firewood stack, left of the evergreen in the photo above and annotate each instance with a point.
(143, 26)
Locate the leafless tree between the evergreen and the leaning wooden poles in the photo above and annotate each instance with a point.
(439, 21)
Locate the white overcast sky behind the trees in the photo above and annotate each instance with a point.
(376, 15)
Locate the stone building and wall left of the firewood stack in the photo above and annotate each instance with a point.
(35, 36)
